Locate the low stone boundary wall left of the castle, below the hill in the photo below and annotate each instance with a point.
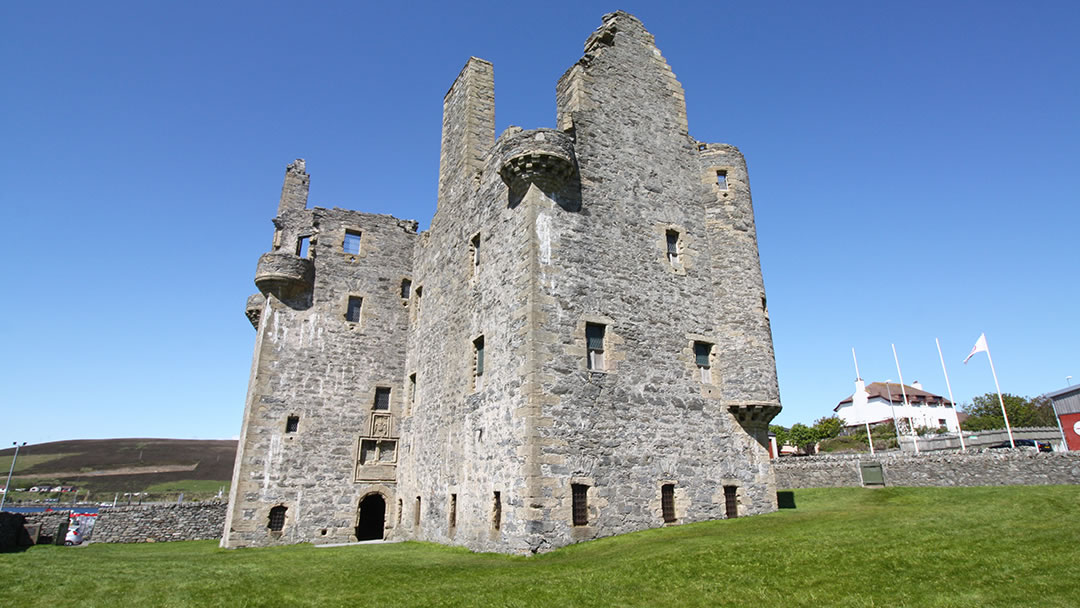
(146, 523)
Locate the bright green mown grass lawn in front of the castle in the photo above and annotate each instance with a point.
(852, 547)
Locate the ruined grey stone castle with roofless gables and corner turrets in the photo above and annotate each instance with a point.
(578, 347)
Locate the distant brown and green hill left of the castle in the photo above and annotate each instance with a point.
(165, 468)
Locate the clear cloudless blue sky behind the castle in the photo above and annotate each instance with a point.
(911, 166)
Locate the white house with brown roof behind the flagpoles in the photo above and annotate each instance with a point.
(881, 402)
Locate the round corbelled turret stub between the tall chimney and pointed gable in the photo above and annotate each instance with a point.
(543, 157)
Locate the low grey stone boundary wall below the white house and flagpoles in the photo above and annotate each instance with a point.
(980, 468)
